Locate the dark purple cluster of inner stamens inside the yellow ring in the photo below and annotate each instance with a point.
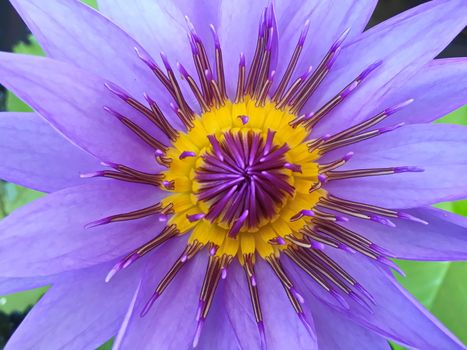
(242, 179)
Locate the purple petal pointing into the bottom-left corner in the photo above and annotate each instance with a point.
(80, 311)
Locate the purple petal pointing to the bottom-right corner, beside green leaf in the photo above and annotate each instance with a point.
(396, 314)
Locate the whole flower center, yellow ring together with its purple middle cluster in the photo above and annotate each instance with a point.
(243, 170)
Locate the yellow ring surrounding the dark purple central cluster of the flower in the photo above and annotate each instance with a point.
(270, 236)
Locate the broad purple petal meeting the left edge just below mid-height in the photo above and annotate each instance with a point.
(48, 235)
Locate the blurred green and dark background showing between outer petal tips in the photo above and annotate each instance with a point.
(440, 286)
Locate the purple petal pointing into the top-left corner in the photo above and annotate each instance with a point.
(72, 32)
